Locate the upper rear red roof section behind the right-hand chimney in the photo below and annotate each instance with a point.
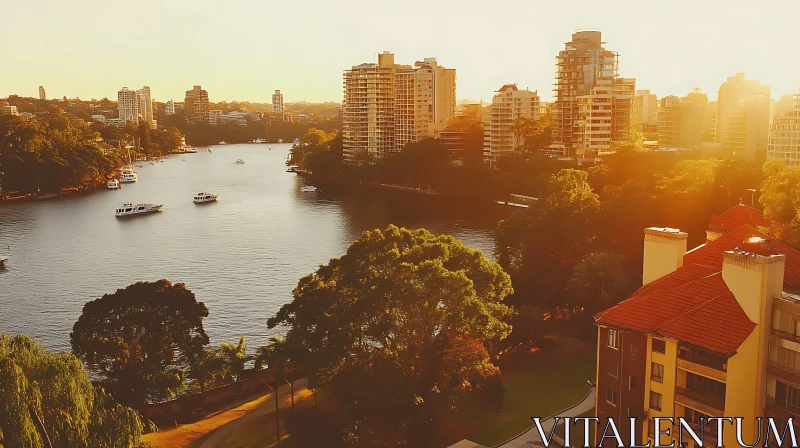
(711, 254)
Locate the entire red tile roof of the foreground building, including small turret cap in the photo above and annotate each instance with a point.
(693, 304)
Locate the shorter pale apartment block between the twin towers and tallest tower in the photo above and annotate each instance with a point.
(508, 105)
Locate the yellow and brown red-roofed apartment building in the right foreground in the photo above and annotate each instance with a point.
(712, 332)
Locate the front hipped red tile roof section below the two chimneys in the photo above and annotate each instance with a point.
(701, 311)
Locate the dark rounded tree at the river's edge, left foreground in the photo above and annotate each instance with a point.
(136, 338)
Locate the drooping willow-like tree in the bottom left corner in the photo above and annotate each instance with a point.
(47, 400)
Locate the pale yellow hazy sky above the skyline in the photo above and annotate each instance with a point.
(245, 49)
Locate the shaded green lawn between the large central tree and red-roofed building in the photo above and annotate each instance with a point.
(540, 390)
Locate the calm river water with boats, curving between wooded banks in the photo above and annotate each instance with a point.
(241, 256)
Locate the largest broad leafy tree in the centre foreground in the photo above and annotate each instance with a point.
(399, 326)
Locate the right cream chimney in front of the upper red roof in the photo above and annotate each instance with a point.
(754, 279)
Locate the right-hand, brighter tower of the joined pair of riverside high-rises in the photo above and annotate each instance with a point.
(425, 100)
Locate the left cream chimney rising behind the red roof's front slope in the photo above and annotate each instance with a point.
(664, 249)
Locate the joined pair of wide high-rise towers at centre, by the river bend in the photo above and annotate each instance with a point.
(387, 105)
